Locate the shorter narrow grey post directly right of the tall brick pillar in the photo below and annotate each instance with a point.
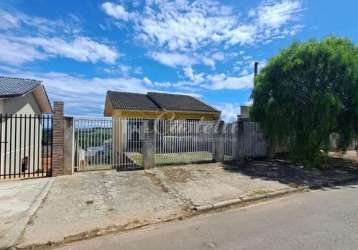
(68, 146)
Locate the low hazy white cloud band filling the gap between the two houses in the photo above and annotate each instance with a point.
(83, 96)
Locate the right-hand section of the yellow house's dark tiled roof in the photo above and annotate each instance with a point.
(175, 102)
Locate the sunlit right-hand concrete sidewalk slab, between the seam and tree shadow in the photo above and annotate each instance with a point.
(206, 184)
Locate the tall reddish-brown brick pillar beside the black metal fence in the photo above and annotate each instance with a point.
(58, 139)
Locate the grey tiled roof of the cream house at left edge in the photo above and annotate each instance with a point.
(11, 87)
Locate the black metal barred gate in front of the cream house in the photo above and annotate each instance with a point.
(26, 146)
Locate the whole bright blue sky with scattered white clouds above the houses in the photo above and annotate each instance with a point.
(205, 48)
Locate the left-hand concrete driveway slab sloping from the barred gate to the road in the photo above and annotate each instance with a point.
(91, 203)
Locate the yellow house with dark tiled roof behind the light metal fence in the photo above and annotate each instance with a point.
(128, 135)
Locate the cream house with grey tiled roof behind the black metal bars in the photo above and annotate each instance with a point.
(21, 148)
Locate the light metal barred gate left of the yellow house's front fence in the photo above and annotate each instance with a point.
(108, 143)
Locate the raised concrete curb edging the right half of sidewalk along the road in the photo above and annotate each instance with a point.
(243, 201)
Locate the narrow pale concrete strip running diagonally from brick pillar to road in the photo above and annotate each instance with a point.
(20, 226)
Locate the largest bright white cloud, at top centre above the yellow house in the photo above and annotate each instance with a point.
(181, 33)
